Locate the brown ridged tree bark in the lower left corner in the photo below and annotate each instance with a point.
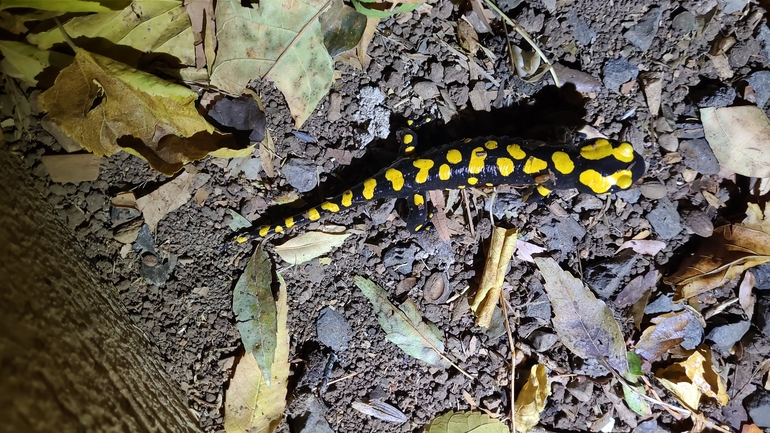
(71, 360)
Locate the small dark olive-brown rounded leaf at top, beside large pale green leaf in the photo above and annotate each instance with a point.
(342, 28)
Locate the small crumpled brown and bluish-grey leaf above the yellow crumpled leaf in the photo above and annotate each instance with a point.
(669, 330)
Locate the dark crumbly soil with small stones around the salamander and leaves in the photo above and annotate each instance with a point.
(189, 318)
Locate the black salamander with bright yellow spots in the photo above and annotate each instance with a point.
(598, 166)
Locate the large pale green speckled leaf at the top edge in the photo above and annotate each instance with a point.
(275, 39)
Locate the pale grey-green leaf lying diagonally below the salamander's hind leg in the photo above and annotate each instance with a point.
(404, 326)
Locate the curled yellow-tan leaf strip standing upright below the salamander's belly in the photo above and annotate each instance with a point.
(498, 258)
